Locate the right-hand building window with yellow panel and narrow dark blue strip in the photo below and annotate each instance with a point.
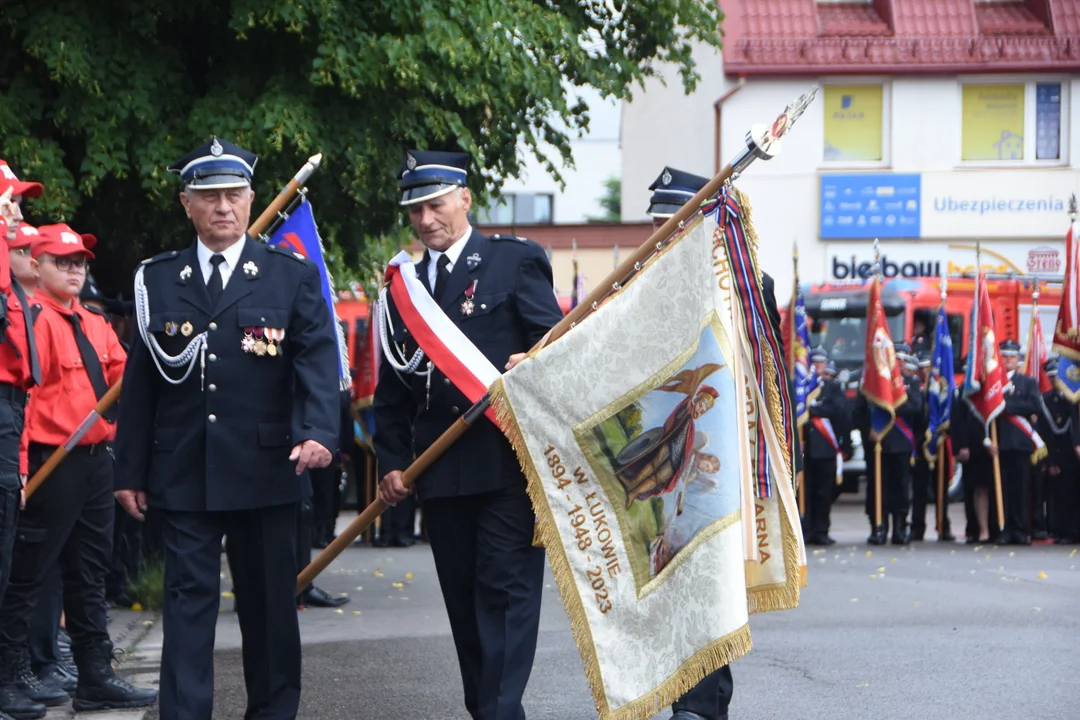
(1019, 123)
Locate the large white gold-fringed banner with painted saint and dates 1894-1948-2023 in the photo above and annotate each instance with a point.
(636, 432)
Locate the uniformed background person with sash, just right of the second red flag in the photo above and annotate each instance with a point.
(1016, 449)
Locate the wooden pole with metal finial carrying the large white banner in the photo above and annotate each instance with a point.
(762, 144)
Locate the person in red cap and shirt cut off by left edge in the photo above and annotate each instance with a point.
(19, 369)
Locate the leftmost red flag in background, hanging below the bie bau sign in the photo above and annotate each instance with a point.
(883, 382)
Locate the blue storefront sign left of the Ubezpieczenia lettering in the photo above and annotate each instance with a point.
(869, 206)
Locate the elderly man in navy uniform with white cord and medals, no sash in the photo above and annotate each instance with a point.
(231, 395)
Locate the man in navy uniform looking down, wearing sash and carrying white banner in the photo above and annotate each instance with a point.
(498, 291)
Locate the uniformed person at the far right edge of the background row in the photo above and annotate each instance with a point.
(1059, 429)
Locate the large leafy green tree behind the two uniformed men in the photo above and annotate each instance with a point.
(99, 98)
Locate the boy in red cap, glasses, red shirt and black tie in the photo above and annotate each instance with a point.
(70, 520)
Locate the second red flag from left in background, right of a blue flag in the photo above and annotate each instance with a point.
(985, 383)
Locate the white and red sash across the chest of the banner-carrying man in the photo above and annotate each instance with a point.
(441, 341)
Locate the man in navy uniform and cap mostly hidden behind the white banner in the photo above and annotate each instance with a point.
(710, 699)
